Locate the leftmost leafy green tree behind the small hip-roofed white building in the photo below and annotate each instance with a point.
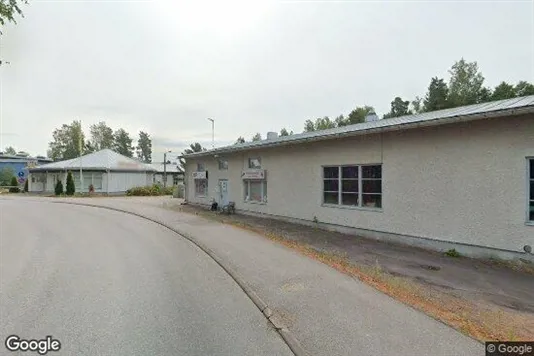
(68, 142)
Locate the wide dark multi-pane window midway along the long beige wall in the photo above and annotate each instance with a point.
(353, 185)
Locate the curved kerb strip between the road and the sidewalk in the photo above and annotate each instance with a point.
(275, 320)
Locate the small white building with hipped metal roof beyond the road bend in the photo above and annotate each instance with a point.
(108, 172)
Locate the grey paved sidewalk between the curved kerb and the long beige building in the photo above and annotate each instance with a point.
(328, 312)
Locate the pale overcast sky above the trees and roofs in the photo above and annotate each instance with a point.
(166, 66)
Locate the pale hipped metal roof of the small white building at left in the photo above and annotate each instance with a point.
(102, 160)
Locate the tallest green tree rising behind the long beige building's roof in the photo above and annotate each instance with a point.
(465, 84)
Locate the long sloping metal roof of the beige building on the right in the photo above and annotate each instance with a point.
(501, 108)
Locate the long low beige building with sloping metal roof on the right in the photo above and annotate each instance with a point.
(459, 178)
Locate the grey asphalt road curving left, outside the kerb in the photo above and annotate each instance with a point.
(107, 283)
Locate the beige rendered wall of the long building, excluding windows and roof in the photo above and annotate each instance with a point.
(463, 182)
